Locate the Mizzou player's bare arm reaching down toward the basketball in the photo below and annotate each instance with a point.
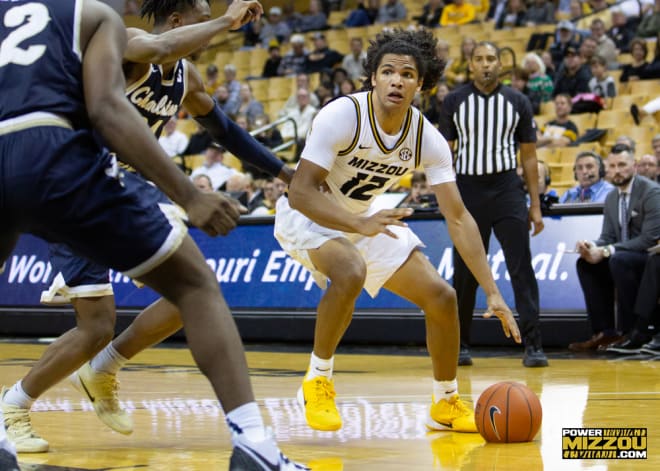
(465, 235)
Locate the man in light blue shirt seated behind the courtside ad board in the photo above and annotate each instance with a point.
(589, 171)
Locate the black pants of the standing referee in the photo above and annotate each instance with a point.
(497, 202)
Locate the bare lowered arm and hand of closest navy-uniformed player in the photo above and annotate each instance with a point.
(103, 40)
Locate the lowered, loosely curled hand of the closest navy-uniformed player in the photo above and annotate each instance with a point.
(214, 213)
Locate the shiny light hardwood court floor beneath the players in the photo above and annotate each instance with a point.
(382, 398)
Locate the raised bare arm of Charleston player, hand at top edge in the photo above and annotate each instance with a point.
(172, 45)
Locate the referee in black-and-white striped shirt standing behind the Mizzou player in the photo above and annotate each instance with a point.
(486, 123)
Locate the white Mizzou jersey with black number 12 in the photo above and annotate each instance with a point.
(366, 167)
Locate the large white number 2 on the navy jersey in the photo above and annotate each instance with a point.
(31, 19)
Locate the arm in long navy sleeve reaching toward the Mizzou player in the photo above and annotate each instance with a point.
(226, 132)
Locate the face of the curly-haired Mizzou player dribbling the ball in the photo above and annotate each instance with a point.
(396, 80)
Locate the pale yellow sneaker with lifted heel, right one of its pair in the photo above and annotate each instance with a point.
(101, 389)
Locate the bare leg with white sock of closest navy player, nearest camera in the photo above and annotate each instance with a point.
(186, 280)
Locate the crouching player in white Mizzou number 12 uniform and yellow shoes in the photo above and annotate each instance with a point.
(359, 146)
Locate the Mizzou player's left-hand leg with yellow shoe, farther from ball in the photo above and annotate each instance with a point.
(340, 261)
